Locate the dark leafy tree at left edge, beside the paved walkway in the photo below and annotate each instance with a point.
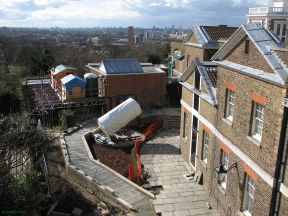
(18, 136)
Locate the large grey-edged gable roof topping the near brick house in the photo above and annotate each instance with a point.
(265, 41)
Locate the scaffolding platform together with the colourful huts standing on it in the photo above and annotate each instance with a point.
(46, 96)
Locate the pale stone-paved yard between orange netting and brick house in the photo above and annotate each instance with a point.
(162, 159)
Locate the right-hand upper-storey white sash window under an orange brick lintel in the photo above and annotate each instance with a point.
(258, 121)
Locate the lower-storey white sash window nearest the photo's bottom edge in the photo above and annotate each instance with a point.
(248, 196)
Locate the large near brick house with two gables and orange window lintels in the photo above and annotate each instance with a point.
(234, 123)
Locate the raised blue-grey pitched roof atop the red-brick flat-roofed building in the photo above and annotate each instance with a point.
(121, 66)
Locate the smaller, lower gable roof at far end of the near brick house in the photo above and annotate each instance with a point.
(208, 73)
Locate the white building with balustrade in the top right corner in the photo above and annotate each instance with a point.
(273, 18)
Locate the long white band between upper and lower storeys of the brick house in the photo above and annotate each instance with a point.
(237, 151)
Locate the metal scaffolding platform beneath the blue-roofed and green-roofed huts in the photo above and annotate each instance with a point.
(45, 100)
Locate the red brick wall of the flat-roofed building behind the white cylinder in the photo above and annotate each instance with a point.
(150, 89)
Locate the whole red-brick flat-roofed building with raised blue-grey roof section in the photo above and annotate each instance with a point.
(120, 79)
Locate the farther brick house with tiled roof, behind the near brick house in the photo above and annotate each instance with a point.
(202, 43)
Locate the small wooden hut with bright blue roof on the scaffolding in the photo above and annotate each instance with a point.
(72, 88)
